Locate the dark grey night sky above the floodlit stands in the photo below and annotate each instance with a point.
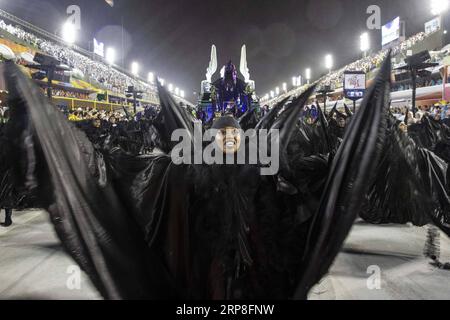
(173, 37)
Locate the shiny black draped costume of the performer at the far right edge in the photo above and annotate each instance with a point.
(411, 184)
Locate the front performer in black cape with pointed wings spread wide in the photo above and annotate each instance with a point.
(143, 227)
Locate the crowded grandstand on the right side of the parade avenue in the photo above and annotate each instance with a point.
(432, 86)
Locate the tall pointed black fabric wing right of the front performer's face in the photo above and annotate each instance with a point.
(346, 187)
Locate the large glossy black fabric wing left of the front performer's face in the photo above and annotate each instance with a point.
(86, 208)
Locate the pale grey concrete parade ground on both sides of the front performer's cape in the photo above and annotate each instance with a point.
(376, 263)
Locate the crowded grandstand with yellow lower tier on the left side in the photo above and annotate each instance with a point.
(90, 82)
